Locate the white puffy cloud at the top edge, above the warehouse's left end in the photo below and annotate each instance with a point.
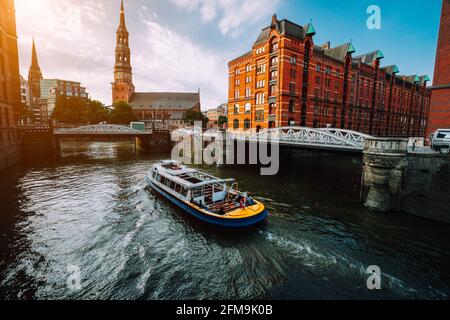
(234, 15)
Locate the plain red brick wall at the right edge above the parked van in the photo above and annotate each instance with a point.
(440, 102)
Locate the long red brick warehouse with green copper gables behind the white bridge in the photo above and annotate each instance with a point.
(288, 80)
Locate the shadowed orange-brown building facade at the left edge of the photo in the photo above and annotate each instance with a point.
(9, 86)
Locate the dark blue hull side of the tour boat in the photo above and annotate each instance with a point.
(231, 223)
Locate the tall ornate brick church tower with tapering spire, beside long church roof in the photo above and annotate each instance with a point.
(122, 87)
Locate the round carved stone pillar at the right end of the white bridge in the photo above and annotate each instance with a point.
(383, 175)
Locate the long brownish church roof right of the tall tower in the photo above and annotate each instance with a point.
(165, 100)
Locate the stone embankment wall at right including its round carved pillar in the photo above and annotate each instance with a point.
(398, 178)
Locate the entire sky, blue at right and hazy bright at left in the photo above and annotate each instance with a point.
(185, 45)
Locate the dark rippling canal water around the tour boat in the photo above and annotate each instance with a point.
(85, 226)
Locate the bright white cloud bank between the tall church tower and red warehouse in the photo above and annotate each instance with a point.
(168, 61)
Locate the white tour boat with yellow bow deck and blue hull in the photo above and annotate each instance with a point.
(206, 197)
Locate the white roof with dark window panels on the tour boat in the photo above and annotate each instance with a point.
(174, 174)
